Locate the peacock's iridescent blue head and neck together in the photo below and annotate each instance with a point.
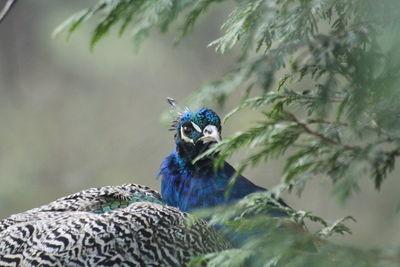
(191, 186)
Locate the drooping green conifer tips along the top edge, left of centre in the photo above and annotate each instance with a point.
(140, 16)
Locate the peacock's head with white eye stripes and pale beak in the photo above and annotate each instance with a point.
(196, 132)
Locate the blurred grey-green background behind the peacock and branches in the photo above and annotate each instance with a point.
(72, 119)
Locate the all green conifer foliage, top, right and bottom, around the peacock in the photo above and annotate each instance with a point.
(327, 75)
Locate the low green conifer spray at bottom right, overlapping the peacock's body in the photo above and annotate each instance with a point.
(285, 242)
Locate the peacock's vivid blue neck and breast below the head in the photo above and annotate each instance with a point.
(188, 186)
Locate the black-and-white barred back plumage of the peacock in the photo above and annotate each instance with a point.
(126, 225)
